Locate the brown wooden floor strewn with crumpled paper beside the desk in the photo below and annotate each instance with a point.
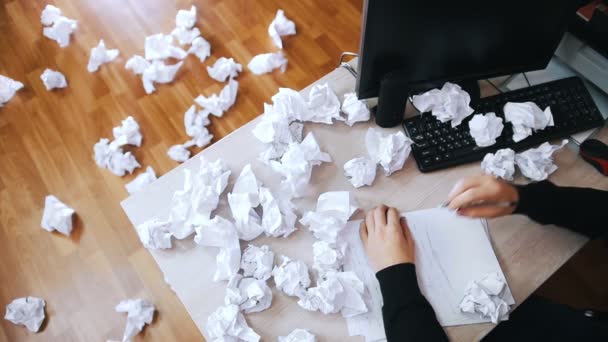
(47, 138)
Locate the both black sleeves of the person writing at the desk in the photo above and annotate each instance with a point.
(407, 314)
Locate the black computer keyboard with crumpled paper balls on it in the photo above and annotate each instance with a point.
(438, 146)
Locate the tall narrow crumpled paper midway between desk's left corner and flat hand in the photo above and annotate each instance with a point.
(243, 200)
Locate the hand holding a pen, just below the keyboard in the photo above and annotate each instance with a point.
(483, 196)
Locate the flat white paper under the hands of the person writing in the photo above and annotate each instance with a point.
(443, 244)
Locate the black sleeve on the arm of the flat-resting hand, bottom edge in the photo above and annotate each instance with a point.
(407, 314)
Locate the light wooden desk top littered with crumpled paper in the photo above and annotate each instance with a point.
(528, 253)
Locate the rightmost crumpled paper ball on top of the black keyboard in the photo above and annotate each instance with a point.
(526, 117)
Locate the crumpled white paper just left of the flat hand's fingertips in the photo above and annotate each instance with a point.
(333, 210)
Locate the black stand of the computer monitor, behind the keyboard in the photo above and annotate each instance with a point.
(394, 92)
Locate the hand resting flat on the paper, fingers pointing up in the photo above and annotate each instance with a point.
(386, 238)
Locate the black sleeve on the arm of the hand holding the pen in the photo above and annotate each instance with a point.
(582, 210)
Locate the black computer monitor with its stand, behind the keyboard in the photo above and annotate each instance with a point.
(410, 46)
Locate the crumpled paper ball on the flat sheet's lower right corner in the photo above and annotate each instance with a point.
(486, 298)
